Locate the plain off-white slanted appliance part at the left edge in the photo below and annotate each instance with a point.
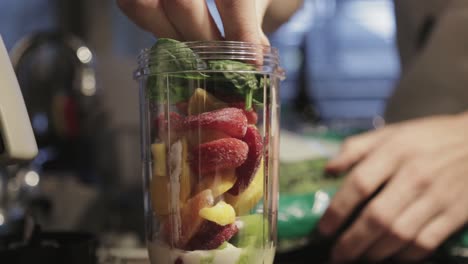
(16, 135)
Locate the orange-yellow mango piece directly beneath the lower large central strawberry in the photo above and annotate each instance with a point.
(219, 182)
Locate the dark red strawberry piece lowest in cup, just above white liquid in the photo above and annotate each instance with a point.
(211, 236)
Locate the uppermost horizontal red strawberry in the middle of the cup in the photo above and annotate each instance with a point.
(231, 121)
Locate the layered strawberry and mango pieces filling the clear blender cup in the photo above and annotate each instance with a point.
(209, 165)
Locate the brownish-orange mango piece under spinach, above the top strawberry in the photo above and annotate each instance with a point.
(201, 101)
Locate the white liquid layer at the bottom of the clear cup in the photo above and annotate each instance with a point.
(162, 254)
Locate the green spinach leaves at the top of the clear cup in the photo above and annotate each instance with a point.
(174, 68)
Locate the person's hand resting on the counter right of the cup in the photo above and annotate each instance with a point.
(423, 168)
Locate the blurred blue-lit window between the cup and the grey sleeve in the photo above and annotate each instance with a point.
(352, 62)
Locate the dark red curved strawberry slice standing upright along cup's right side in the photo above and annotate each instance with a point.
(246, 172)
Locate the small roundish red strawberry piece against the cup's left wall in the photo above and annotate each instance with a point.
(170, 128)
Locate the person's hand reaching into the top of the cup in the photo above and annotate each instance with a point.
(188, 20)
